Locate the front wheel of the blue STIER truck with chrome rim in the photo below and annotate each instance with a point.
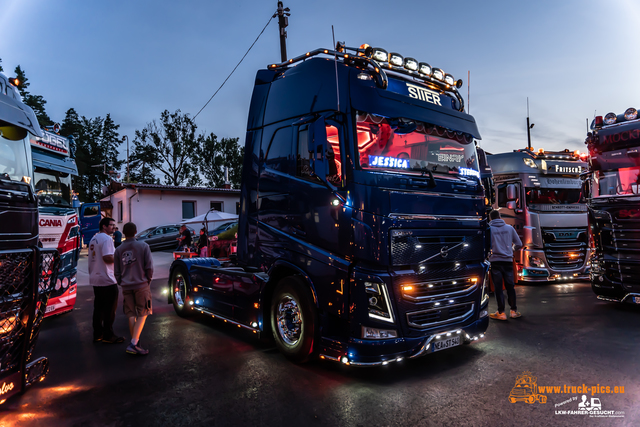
(294, 319)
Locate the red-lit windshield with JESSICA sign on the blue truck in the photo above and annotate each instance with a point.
(406, 145)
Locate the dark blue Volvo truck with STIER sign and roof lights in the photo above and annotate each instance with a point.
(362, 231)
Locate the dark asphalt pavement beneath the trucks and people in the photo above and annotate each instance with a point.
(202, 371)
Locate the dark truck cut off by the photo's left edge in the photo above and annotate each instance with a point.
(26, 272)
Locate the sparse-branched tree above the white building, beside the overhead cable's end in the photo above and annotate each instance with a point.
(173, 143)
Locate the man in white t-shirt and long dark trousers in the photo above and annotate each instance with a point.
(103, 280)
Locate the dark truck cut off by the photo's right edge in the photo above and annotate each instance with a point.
(613, 181)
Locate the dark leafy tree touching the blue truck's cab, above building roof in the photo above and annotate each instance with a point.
(214, 155)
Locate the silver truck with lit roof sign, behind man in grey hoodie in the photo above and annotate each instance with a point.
(539, 194)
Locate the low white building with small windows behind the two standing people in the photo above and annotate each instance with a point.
(149, 205)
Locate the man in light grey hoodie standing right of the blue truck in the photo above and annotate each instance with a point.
(504, 240)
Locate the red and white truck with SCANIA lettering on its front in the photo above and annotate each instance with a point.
(54, 165)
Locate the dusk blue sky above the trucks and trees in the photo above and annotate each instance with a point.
(134, 59)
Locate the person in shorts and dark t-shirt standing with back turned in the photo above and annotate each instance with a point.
(133, 268)
